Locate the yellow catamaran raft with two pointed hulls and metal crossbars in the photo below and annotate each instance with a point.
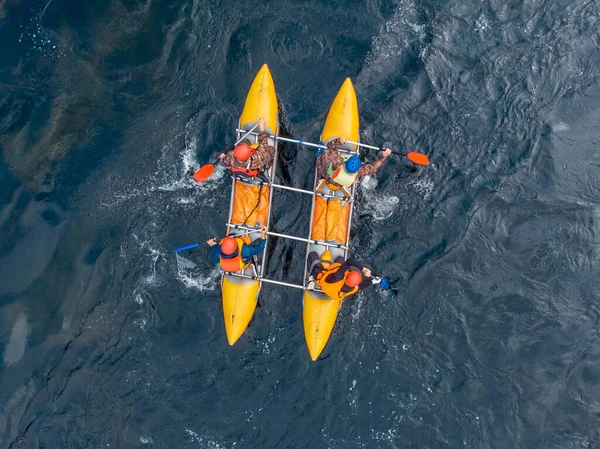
(331, 215)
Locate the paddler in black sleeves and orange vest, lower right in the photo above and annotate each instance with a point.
(339, 279)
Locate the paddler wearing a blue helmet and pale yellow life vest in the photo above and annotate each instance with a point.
(342, 171)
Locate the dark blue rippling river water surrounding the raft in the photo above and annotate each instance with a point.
(108, 340)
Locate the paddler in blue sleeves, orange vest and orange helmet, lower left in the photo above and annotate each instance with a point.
(235, 253)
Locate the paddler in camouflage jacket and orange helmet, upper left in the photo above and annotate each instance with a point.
(246, 161)
